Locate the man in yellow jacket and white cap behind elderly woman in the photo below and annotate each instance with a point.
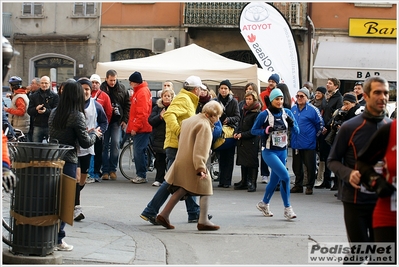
(182, 107)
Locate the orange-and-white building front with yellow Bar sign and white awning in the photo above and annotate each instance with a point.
(353, 41)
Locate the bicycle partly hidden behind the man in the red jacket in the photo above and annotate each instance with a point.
(126, 159)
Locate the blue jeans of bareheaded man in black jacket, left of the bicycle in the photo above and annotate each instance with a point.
(111, 147)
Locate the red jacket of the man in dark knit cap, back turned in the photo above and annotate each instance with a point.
(140, 109)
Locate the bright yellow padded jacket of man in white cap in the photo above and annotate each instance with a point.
(183, 106)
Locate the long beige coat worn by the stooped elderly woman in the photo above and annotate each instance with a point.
(194, 148)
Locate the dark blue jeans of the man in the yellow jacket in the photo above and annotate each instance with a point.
(162, 195)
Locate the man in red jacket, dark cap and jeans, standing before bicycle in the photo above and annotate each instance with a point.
(138, 126)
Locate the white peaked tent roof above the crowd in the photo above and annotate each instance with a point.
(180, 63)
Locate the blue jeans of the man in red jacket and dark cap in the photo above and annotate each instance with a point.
(140, 143)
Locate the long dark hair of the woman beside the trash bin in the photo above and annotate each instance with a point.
(72, 99)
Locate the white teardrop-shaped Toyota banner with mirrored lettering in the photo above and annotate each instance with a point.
(269, 36)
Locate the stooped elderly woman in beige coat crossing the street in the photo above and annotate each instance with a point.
(188, 174)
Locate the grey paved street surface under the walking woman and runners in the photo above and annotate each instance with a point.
(113, 233)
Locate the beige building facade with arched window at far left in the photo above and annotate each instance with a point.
(57, 39)
